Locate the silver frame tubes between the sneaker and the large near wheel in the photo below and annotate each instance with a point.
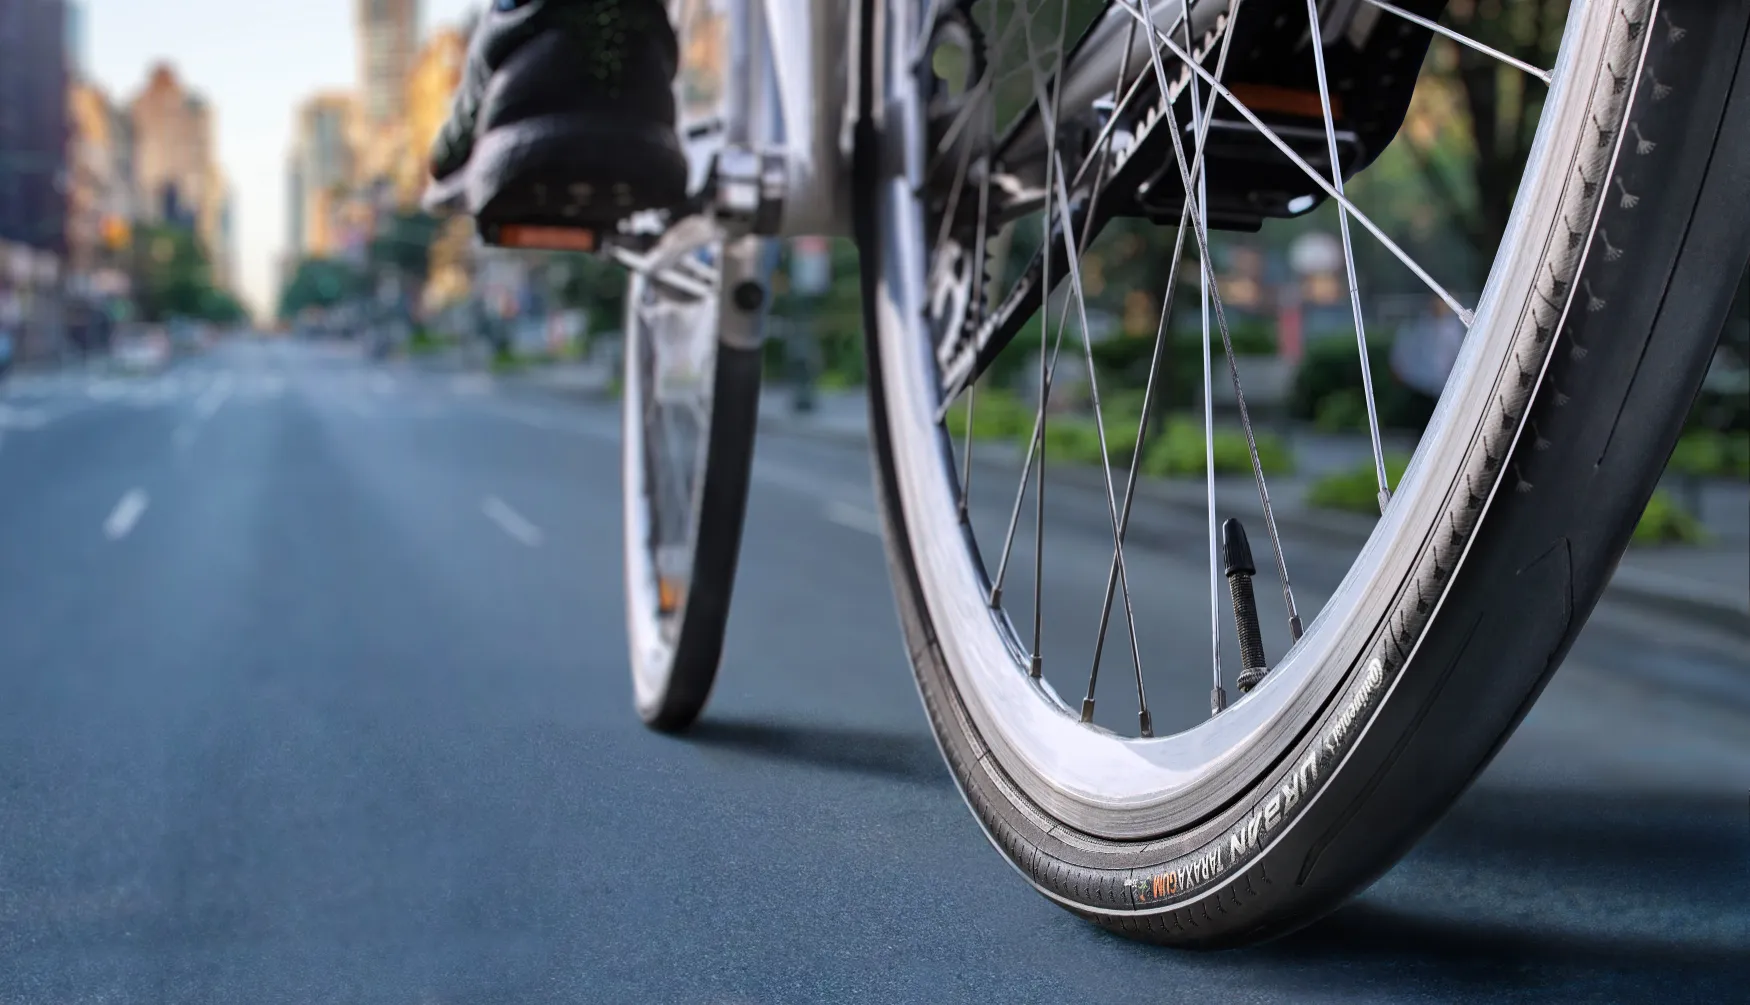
(767, 99)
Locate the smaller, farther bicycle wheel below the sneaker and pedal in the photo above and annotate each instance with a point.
(692, 402)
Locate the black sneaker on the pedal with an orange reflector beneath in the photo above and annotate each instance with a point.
(564, 122)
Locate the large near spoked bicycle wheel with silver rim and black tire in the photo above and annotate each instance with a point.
(1590, 339)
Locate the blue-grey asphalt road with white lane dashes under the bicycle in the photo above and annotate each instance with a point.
(312, 689)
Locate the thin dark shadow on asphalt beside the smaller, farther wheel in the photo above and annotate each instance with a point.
(911, 759)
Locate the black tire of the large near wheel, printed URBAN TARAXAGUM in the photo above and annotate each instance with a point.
(1536, 507)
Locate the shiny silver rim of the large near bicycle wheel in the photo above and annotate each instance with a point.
(1138, 787)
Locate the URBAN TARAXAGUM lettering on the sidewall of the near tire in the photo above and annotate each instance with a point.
(1196, 871)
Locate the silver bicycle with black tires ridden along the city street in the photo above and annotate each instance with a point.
(937, 153)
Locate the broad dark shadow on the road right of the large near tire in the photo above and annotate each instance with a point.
(1576, 896)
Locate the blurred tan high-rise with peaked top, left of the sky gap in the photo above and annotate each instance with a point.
(176, 169)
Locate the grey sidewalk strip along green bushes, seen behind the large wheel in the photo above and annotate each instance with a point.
(1709, 584)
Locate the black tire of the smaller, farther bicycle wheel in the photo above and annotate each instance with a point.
(675, 656)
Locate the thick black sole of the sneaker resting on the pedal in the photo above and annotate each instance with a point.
(573, 172)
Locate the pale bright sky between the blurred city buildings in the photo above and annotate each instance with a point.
(256, 62)
